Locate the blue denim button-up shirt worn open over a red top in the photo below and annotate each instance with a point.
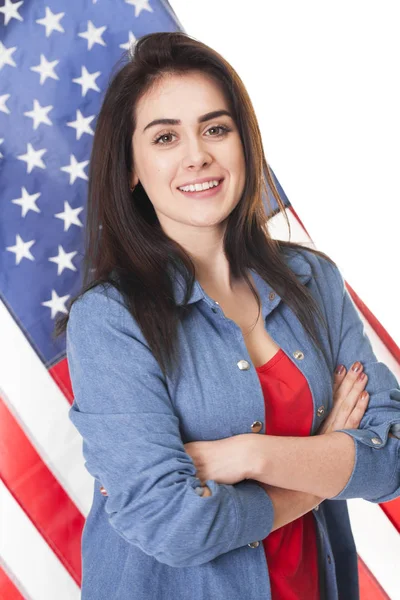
(153, 537)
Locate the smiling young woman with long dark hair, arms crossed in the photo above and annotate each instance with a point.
(202, 355)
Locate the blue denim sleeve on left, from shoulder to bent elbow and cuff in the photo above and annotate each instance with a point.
(132, 445)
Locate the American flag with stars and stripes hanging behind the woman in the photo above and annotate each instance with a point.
(56, 59)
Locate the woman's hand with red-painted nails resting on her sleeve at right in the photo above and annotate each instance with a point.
(349, 402)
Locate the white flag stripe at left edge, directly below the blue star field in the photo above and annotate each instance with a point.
(42, 411)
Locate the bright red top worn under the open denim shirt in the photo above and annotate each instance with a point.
(291, 550)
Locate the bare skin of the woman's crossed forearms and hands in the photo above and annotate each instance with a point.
(297, 472)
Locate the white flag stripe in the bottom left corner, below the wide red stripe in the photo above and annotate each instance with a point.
(26, 554)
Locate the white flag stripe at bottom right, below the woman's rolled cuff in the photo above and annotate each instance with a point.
(378, 544)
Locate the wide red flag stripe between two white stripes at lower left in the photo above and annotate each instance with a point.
(39, 494)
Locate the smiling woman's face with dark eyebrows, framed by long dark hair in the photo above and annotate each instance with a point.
(167, 156)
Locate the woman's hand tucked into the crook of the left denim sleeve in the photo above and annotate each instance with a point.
(225, 461)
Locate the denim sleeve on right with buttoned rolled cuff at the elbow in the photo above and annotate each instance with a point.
(376, 472)
